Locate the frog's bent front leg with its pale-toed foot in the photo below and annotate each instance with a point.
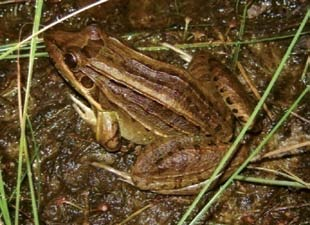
(104, 124)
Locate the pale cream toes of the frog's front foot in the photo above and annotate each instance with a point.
(86, 113)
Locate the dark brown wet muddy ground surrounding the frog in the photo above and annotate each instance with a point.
(61, 144)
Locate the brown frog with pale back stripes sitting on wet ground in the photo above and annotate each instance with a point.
(186, 118)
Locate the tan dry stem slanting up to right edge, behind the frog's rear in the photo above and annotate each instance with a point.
(281, 151)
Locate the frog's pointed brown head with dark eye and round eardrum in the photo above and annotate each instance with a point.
(71, 52)
